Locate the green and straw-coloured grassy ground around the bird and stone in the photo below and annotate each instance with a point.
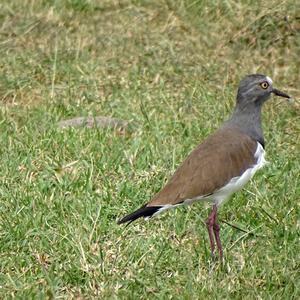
(172, 68)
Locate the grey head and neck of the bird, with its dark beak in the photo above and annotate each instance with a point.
(253, 91)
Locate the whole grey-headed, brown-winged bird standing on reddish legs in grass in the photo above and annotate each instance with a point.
(222, 164)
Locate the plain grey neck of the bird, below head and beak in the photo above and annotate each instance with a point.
(247, 119)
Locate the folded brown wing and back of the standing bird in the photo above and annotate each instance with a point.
(222, 156)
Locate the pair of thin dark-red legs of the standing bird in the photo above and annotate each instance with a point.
(213, 231)
